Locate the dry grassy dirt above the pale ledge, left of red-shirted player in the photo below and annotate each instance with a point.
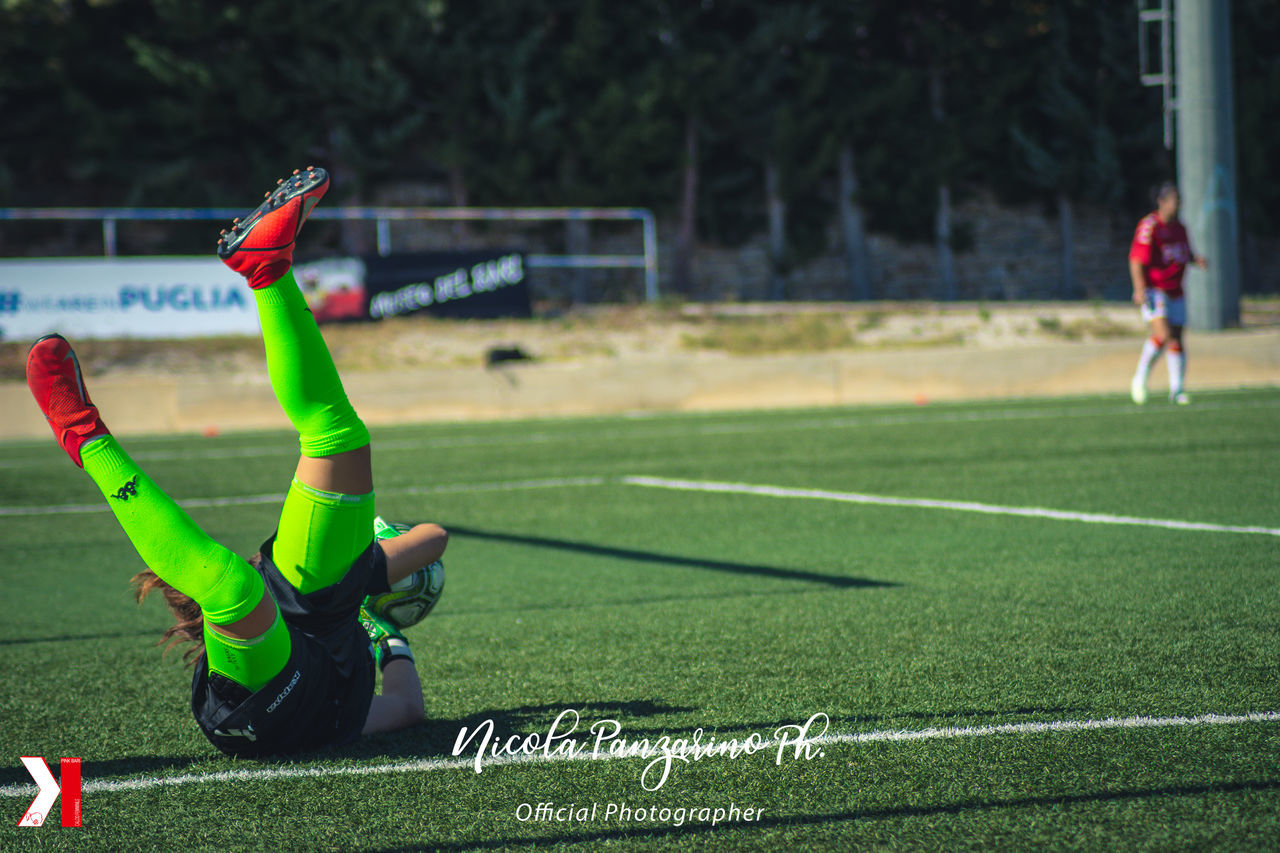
(625, 334)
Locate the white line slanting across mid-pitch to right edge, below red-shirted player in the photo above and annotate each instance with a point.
(930, 504)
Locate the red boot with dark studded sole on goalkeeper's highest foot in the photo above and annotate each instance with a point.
(260, 247)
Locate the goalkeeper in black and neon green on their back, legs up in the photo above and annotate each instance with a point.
(286, 651)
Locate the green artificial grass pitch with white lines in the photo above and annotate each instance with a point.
(931, 635)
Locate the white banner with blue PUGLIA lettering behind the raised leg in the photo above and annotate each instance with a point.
(124, 298)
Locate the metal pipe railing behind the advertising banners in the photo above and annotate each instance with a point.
(382, 220)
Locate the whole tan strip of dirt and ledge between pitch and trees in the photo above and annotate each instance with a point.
(657, 359)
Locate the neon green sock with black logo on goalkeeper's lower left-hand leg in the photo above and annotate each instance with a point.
(170, 542)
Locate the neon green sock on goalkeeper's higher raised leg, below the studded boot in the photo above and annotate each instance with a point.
(303, 373)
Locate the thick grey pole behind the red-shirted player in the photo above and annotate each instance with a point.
(1206, 159)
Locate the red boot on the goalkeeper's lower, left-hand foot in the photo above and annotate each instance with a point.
(54, 378)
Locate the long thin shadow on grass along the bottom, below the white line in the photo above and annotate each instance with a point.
(675, 836)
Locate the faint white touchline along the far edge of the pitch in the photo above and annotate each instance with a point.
(766, 423)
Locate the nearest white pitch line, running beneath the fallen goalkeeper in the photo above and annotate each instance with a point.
(432, 765)
